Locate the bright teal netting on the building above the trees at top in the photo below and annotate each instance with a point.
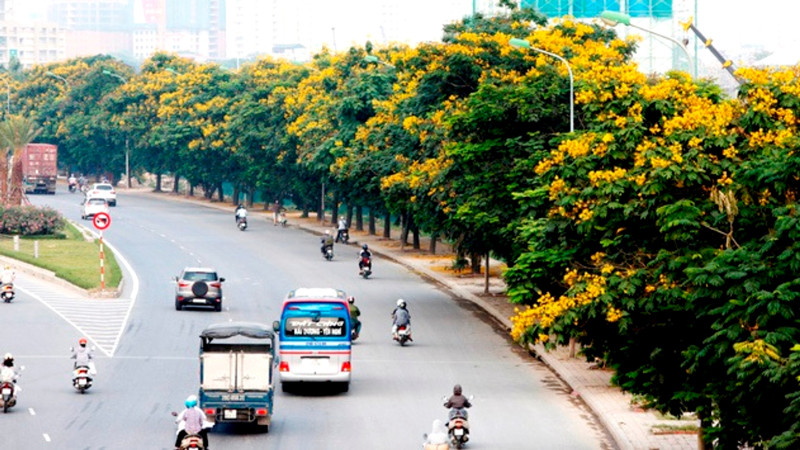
(592, 8)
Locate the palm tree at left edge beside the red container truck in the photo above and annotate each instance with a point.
(15, 133)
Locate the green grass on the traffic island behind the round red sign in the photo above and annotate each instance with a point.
(71, 258)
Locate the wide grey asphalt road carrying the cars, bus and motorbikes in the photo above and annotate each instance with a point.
(395, 391)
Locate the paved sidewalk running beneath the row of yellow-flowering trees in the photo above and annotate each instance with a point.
(631, 428)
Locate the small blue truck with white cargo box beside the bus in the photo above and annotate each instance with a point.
(236, 367)
